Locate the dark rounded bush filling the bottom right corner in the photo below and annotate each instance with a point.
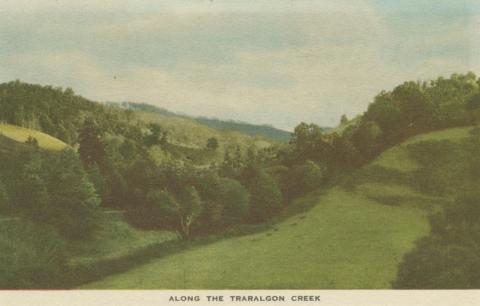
(450, 257)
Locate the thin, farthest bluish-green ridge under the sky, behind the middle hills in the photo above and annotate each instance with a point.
(267, 131)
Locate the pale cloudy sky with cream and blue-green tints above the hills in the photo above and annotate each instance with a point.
(267, 62)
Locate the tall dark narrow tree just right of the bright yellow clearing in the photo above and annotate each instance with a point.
(92, 148)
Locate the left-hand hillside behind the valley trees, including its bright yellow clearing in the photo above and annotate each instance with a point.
(54, 116)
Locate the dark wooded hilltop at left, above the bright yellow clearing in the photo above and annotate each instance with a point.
(58, 112)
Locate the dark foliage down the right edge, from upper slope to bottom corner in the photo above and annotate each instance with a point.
(449, 257)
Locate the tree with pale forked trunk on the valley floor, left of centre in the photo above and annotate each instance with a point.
(185, 208)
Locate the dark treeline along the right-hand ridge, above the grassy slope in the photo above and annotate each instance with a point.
(409, 109)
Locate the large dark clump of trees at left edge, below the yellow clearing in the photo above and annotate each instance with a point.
(53, 189)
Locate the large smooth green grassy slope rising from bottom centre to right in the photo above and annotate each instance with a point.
(352, 238)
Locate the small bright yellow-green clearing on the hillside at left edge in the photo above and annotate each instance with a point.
(21, 134)
